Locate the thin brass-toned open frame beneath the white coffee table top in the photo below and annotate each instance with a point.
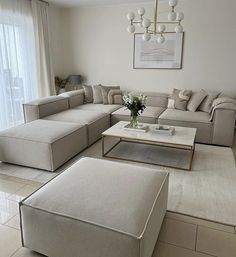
(190, 149)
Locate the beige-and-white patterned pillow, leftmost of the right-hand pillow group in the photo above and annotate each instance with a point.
(179, 99)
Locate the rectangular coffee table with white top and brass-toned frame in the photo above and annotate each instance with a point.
(183, 139)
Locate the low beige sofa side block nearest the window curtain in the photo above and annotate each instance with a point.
(43, 107)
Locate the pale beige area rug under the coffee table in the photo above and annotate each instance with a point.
(208, 191)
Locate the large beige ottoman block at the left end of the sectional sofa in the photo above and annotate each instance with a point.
(42, 144)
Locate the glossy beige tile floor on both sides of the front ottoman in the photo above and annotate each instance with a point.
(180, 236)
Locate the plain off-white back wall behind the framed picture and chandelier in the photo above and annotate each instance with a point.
(98, 47)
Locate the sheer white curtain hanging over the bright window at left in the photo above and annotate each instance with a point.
(18, 73)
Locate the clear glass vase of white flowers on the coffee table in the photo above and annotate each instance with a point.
(136, 105)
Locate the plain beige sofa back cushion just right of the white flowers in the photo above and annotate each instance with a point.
(155, 99)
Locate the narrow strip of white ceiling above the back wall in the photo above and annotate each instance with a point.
(72, 3)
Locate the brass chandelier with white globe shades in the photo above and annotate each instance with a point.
(174, 18)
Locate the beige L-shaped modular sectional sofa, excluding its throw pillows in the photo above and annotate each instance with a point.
(59, 127)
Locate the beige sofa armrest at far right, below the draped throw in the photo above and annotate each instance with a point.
(223, 128)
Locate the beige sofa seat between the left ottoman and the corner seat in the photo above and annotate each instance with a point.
(96, 122)
